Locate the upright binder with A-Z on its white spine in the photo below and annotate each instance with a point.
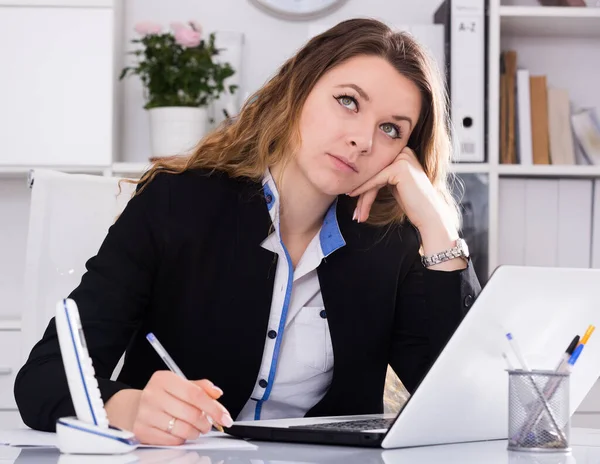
(465, 40)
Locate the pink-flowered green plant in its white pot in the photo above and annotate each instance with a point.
(180, 79)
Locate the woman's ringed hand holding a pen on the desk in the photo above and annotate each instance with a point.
(147, 413)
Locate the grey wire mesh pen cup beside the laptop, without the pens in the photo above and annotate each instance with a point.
(538, 411)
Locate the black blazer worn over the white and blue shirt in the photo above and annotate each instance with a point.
(184, 261)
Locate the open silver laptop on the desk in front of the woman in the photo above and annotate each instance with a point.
(464, 396)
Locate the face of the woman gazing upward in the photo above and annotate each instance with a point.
(355, 121)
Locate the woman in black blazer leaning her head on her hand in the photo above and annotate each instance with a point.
(281, 261)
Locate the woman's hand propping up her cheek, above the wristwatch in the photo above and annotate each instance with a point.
(414, 192)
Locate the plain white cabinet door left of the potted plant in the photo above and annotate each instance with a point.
(56, 85)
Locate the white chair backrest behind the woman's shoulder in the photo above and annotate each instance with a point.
(69, 217)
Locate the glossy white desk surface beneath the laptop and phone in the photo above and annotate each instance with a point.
(586, 450)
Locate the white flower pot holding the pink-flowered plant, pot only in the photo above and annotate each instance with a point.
(176, 130)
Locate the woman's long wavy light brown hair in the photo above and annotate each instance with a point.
(266, 131)
